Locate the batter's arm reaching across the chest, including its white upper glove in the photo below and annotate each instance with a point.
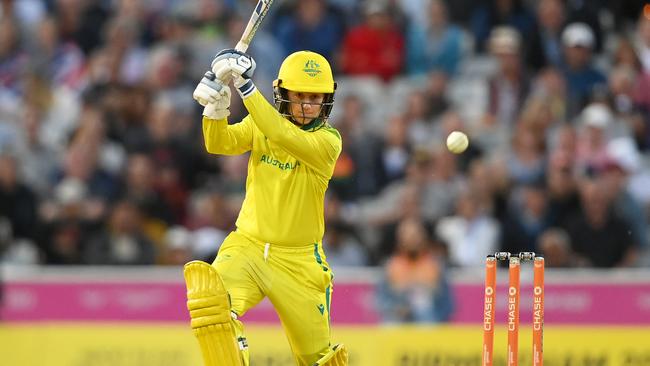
(317, 150)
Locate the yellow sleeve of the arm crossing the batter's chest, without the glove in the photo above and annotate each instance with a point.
(319, 150)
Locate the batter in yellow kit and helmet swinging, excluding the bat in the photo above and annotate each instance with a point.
(276, 249)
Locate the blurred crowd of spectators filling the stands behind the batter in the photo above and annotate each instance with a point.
(102, 158)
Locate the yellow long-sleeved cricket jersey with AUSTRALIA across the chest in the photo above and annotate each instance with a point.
(288, 171)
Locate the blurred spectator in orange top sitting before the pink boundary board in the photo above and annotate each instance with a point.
(415, 287)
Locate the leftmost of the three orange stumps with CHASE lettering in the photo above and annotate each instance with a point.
(489, 306)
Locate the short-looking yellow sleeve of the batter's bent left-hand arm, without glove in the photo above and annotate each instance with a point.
(222, 138)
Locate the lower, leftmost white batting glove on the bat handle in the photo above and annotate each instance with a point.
(214, 96)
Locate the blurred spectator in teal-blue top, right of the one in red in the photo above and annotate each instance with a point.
(436, 45)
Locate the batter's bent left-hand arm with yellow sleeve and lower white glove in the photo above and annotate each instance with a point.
(219, 136)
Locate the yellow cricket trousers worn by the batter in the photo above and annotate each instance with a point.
(297, 281)
